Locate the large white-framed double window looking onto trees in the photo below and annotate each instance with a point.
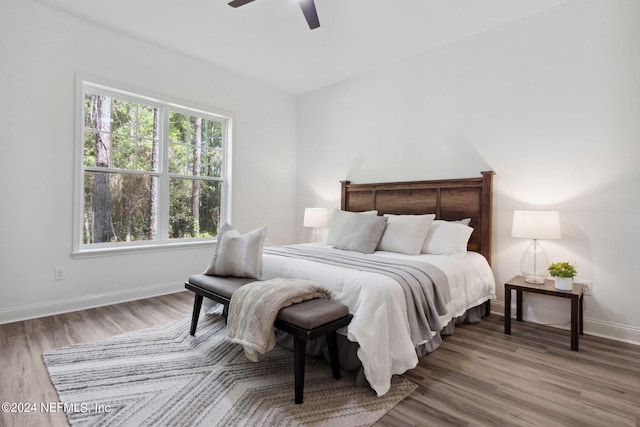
(152, 172)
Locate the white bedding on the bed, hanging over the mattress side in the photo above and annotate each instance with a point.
(377, 302)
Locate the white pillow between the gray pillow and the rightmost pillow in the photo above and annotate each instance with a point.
(405, 234)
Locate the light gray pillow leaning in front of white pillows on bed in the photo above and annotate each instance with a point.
(361, 233)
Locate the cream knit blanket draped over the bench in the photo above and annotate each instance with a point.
(254, 307)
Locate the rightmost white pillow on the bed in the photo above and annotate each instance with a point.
(446, 238)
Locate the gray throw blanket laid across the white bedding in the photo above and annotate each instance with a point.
(425, 286)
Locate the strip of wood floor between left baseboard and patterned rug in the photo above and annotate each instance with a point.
(24, 375)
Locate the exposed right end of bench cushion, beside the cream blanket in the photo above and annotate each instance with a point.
(313, 313)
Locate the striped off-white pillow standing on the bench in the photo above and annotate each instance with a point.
(238, 255)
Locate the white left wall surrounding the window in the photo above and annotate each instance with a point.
(41, 50)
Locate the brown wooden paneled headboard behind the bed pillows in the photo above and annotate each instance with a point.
(449, 199)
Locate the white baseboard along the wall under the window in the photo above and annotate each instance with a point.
(51, 308)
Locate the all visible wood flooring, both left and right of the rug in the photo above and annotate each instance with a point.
(479, 376)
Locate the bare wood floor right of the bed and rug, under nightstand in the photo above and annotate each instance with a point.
(479, 376)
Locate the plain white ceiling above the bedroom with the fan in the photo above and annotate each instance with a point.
(269, 40)
